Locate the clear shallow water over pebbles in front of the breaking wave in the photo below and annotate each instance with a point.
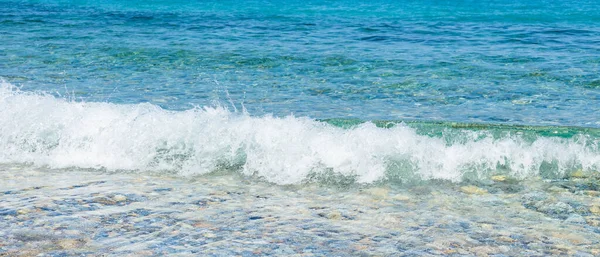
(90, 213)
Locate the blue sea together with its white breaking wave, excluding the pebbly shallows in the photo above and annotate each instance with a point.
(487, 87)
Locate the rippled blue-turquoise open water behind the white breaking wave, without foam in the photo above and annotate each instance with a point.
(532, 63)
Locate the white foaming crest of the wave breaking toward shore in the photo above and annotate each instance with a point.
(47, 131)
